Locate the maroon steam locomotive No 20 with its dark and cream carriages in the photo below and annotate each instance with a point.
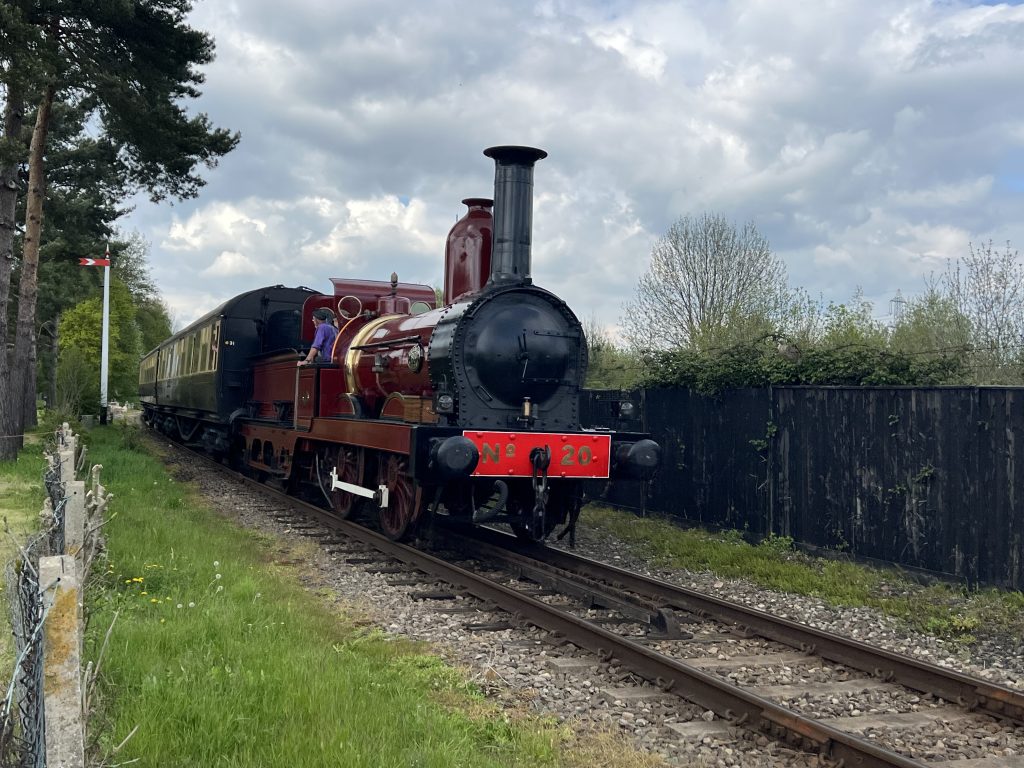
(467, 407)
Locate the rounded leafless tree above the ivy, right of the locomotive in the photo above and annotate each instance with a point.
(708, 285)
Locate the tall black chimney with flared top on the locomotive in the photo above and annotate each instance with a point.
(510, 261)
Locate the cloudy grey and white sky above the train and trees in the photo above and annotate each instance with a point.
(870, 142)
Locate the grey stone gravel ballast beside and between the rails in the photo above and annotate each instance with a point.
(519, 669)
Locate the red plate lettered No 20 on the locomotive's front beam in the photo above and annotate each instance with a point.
(504, 454)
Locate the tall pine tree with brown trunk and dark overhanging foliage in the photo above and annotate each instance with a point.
(129, 64)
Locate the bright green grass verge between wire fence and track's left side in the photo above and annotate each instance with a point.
(220, 657)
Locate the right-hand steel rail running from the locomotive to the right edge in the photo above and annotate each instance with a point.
(974, 694)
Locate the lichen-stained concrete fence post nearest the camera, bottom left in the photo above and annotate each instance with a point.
(61, 589)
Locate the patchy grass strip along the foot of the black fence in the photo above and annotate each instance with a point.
(942, 609)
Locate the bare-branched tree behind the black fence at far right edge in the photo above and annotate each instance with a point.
(988, 289)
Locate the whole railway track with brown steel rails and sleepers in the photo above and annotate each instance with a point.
(659, 621)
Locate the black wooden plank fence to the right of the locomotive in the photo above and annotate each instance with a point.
(931, 479)
